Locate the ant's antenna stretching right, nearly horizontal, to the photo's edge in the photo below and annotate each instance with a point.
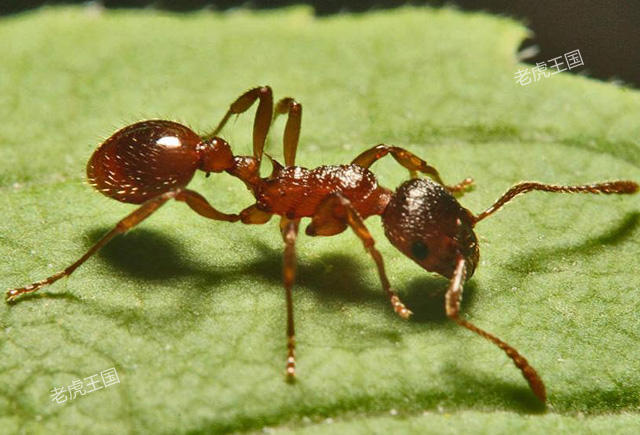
(609, 187)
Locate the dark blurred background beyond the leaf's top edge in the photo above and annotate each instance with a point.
(607, 32)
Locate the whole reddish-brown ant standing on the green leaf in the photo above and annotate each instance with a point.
(151, 162)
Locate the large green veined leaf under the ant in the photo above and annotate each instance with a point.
(191, 312)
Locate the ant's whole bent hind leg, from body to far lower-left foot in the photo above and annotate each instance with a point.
(193, 199)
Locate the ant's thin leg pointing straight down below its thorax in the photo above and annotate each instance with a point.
(289, 229)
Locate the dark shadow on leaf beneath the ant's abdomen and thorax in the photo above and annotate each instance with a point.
(152, 256)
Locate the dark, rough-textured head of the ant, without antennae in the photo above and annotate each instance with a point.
(428, 225)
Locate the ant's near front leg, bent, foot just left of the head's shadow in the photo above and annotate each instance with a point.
(337, 208)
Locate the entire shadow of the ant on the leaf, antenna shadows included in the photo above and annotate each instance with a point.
(333, 279)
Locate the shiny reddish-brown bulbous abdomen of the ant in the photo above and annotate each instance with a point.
(144, 160)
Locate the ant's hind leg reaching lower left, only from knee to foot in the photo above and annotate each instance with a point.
(123, 226)
